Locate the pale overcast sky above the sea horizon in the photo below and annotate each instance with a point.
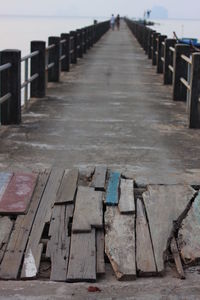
(176, 8)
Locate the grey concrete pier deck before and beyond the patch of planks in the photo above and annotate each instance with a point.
(112, 109)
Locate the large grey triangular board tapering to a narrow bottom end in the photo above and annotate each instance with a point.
(164, 204)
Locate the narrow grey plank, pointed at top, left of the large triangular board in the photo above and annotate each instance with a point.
(144, 250)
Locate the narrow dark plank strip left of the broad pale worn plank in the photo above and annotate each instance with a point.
(100, 242)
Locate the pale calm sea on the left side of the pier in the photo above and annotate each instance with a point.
(17, 32)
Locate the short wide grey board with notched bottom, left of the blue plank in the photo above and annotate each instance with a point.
(88, 210)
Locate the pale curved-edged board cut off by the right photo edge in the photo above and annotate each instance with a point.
(188, 236)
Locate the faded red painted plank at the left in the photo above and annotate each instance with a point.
(18, 194)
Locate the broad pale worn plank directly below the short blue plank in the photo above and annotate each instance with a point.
(120, 243)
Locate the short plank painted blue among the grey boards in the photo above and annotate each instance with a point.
(112, 196)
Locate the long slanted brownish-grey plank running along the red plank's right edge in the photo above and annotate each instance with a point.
(12, 259)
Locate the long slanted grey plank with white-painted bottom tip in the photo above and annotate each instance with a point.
(34, 248)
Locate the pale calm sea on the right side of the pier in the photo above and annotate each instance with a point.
(183, 28)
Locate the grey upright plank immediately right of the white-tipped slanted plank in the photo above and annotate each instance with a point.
(59, 243)
